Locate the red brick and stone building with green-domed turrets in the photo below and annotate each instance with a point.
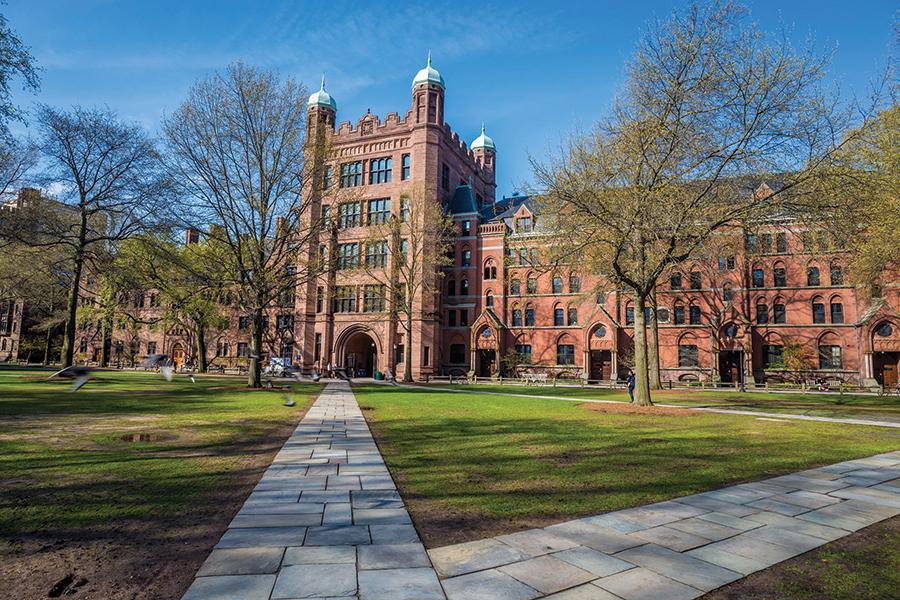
(739, 311)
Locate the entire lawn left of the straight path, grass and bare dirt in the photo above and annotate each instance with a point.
(123, 487)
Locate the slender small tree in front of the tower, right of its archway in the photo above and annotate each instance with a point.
(419, 236)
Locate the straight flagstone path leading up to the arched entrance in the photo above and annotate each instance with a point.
(325, 521)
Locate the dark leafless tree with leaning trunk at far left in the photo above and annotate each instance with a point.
(109, 184)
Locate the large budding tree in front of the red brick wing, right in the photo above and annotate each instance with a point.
(711, 107)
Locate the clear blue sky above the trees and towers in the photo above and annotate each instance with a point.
(531, 70)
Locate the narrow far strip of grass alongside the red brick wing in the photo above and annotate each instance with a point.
(858, 406)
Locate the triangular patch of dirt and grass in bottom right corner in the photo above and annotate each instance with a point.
(862, 566)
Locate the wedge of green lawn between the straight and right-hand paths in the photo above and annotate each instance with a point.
(477, 465)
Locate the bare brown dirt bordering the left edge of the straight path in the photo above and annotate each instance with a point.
(139, 560)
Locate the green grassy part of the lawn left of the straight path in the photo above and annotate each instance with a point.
(65, 467)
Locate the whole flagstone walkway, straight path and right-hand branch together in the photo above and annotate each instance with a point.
(326, 521)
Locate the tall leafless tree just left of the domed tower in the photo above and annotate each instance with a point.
(237, 152)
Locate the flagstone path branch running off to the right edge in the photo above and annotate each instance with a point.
(678, 549)
